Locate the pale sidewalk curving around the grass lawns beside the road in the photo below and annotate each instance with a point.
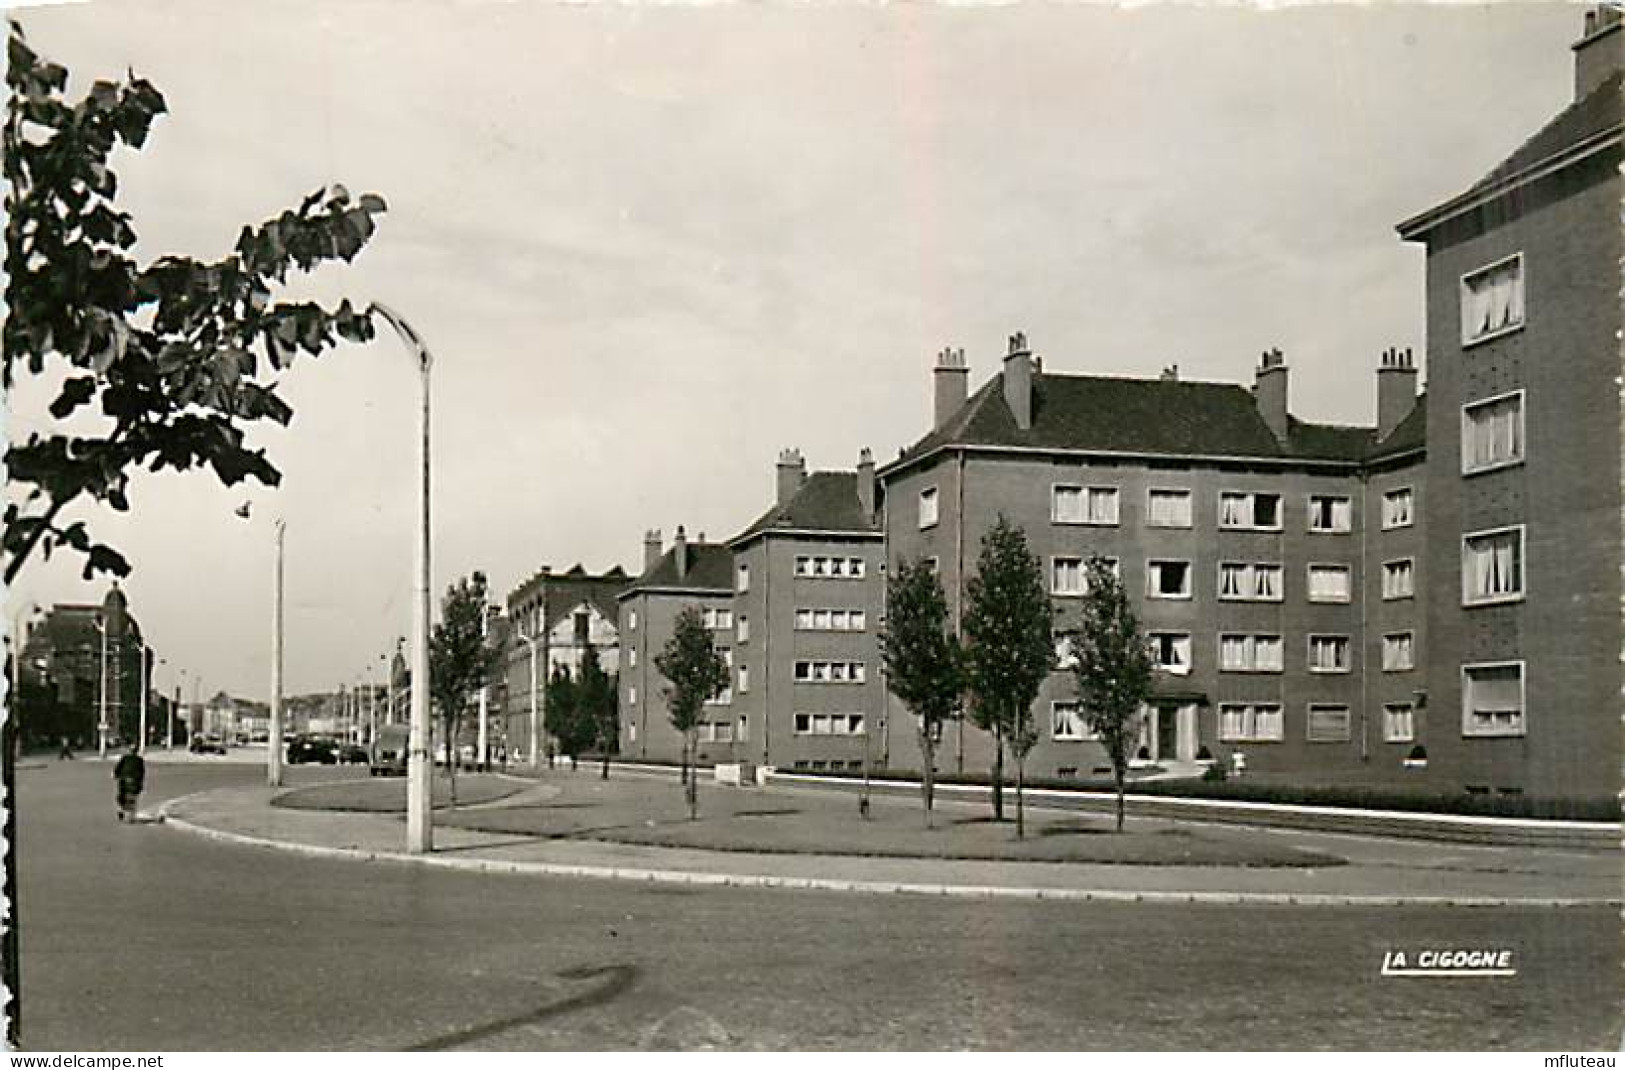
(1379, 872)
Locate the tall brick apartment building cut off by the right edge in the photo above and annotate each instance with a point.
(1520, 567)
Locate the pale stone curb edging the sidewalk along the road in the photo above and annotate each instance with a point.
(864, 887)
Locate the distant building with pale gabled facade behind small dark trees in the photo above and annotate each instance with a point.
(552, 620)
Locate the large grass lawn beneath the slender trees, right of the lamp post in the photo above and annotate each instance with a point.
(786, 820)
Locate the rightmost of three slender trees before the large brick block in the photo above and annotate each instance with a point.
(1112, 668)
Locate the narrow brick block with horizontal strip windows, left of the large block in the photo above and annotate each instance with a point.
(808, 598)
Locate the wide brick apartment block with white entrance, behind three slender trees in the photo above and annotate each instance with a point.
(1249, 539)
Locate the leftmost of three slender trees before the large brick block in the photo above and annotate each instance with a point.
(922, 659)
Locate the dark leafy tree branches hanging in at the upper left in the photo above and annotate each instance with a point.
(168, 352)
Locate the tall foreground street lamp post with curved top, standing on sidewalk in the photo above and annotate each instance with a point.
(420, 770)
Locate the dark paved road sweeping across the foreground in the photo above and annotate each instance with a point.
(145, 939)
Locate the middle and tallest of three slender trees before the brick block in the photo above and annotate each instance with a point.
(1010, 650)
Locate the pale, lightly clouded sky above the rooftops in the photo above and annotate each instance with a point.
(651, 246)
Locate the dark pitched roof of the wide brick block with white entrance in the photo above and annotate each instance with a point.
(1169, 417)
